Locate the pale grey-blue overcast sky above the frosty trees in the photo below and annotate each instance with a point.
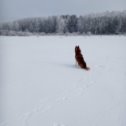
(16, 9)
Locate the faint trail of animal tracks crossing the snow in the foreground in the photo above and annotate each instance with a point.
(45, 106)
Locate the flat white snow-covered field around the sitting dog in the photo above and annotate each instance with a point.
(40, 85)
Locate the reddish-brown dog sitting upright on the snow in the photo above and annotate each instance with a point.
(79, 58)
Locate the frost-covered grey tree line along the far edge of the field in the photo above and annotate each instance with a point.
(105, 23)
